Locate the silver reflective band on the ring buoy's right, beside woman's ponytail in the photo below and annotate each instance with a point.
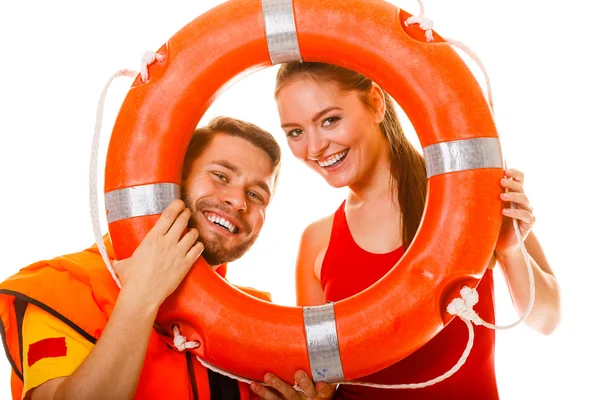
(461, 155)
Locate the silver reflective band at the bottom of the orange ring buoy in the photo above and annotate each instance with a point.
(322, 341)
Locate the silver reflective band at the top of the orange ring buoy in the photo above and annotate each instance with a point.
(281, 31)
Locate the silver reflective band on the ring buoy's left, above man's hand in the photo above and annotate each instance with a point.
(138, 201)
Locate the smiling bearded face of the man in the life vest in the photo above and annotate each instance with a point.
(228, 189)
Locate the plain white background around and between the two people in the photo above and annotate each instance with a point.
(55, 57)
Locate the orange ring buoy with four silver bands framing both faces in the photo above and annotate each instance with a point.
(401, 312)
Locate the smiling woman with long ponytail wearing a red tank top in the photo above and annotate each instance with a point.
(344, 126)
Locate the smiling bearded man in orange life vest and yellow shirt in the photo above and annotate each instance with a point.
(70, 334)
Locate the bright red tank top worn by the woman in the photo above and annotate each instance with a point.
(348, 269)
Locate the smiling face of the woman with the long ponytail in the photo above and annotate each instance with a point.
(331, 130)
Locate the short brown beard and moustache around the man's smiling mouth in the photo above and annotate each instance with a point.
(214, 252)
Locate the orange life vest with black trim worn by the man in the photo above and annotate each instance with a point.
(78, 290)
